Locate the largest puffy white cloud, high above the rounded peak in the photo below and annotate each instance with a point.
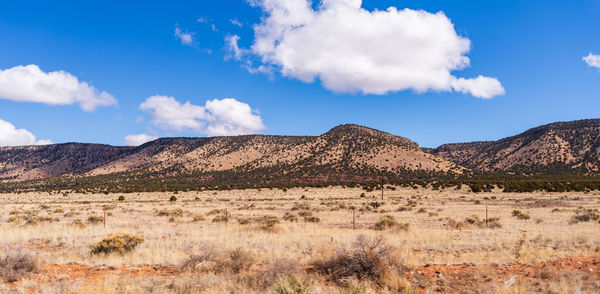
(353, 50)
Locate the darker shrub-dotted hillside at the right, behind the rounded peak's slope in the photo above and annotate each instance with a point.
(563, 147)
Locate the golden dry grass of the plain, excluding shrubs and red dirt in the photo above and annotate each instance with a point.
(55, 228)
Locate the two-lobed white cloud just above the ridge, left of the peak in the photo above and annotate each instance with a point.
(225, 117)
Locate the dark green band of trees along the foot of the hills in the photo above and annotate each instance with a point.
(129, 182)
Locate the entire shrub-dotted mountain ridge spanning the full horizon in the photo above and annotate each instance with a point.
(346, 152)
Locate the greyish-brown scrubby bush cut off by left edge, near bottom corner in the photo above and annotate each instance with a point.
(15, 265)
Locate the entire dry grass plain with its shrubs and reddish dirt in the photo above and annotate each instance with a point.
(301, 240)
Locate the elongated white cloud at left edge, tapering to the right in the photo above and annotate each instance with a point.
(30, 84)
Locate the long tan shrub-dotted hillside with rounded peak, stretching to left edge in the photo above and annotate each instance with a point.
(346, 152)
